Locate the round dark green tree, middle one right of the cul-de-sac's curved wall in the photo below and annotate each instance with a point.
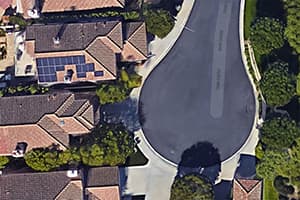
(277, 84)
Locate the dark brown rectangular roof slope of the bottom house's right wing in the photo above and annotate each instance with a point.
(103, 176)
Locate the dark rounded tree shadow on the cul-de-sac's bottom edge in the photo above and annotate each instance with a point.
(202, 158)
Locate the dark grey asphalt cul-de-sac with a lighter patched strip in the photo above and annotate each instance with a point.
(200, 91)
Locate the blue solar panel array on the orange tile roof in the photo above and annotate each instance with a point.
(47, 67)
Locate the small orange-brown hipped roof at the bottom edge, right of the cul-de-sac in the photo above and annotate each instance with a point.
(247, 189)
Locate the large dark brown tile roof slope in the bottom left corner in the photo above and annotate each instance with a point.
(36, 186)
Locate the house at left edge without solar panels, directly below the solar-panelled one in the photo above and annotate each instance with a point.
(28, 122)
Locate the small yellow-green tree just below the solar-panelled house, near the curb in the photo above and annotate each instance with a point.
(111, 93)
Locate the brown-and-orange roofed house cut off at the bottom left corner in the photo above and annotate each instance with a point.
(97, 183)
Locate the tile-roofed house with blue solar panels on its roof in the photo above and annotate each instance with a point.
(85, 51)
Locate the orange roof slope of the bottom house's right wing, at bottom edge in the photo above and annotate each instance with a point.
(104, 193)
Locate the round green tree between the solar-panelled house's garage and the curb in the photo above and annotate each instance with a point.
(158, 22)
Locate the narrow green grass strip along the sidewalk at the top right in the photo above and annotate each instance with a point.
(250, 14)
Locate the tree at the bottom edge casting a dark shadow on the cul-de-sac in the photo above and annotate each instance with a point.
(191, 187)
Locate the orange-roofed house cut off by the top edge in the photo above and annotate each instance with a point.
(33, 8)
